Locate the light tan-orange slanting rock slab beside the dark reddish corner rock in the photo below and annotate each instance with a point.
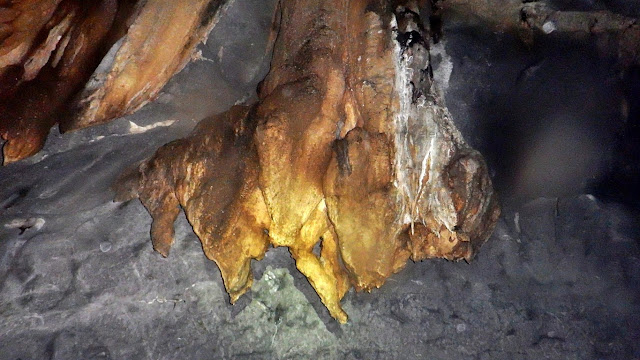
(160, 42)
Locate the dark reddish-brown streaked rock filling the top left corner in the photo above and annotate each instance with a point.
(38, 77)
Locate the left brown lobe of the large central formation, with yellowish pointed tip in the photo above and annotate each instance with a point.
(213, 176)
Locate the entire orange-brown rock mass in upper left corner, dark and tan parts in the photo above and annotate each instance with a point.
(49, 50)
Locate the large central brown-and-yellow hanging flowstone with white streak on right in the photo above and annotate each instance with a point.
(350, 146)
